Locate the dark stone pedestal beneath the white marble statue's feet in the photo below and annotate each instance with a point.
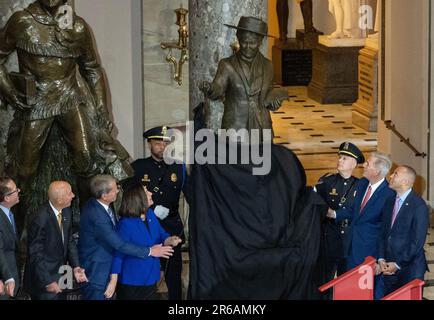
(334, 73)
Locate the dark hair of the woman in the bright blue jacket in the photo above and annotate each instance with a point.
(134, 202)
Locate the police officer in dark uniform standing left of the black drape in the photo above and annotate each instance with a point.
(165, 181)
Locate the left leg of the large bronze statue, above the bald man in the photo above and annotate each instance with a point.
(32, 139)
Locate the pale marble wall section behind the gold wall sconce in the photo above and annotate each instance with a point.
(165, 102)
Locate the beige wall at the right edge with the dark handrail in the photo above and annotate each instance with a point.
(407, 86)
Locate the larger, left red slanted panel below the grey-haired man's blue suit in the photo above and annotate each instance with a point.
(356, 284)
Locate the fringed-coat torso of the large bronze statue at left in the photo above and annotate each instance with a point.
(50, 55)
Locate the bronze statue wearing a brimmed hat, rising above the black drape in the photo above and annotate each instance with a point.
(244, 81)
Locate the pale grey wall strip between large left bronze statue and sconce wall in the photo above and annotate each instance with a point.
(116, 27)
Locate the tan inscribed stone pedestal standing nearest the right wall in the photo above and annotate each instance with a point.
(365, 110)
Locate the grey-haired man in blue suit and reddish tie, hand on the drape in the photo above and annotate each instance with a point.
(367, 213)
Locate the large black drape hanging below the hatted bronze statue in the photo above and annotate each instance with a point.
(254, 237)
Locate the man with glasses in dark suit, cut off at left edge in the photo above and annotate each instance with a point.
(9, 272)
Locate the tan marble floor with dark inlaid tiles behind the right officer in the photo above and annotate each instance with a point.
(314, 132)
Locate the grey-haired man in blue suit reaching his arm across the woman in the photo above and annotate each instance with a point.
(98, 239)
